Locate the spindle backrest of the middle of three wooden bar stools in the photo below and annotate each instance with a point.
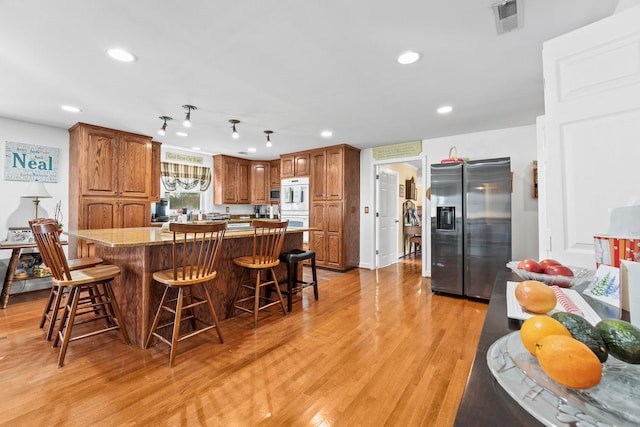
(196, 248)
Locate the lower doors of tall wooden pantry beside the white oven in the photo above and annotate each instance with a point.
(327, 241)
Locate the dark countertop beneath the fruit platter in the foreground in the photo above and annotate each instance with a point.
(485, 402)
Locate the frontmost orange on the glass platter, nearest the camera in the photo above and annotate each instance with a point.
(569, 361)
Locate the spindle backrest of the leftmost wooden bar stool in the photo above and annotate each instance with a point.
(45, 233)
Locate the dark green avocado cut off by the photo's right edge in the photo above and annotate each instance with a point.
(622, 338)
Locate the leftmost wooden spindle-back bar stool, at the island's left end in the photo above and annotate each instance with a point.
(94, 280)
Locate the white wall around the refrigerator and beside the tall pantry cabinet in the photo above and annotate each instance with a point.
(518, 143)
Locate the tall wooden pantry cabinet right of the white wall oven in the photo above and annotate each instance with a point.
(335, 198)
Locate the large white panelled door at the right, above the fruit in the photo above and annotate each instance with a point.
(588, 155)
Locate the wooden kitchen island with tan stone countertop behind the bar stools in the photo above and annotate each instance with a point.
(139, 252)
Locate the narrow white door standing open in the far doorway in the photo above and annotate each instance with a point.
(387, 216)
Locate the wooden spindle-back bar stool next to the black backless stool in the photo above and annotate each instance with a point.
(268, 237)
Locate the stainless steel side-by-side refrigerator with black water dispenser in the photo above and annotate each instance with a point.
(470, 225)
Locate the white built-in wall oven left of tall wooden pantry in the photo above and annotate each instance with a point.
(294, 203)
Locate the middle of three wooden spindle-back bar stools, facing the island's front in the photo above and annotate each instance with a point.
(196, 248)
